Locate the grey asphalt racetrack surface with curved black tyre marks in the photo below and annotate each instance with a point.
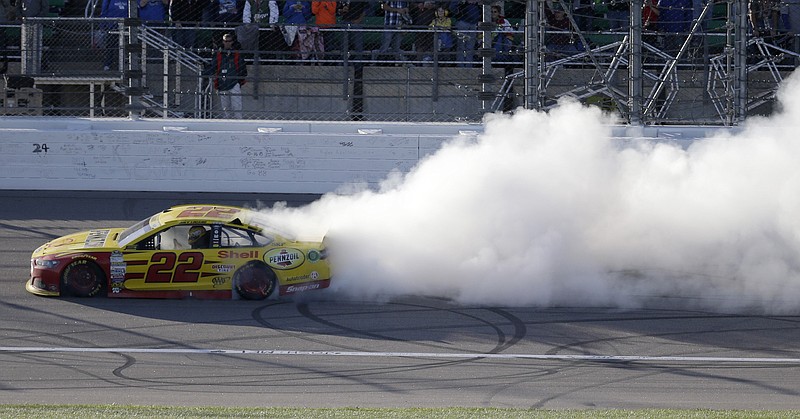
(324, 352)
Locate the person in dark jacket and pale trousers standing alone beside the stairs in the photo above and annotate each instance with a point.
(229, 73)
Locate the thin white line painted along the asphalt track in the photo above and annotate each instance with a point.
(606, 358)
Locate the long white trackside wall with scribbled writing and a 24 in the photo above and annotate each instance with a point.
(223, 156)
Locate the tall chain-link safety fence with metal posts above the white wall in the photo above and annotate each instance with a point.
(698, 62)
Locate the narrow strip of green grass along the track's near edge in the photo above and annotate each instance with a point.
(118, 411)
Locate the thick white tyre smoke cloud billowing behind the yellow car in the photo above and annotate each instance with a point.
(545, 209)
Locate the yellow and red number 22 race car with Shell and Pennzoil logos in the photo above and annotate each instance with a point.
(200, 251)
